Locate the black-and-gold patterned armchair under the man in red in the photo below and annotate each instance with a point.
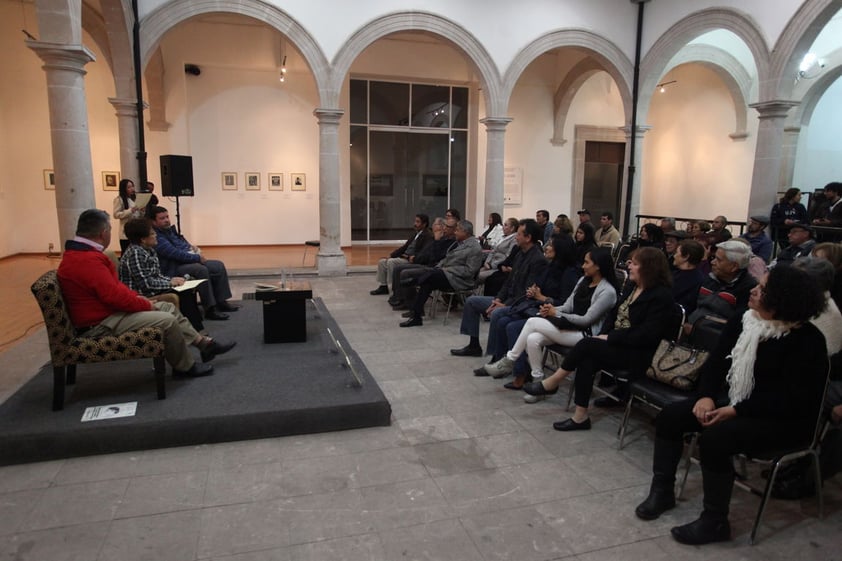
(67, 349)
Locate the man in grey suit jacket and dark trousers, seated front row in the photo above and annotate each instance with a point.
(457, 271)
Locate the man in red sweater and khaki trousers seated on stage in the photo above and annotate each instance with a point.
(99, 304)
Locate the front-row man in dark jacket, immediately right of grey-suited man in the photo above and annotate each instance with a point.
(527, 267)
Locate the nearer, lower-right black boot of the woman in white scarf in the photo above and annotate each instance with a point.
(712, 526)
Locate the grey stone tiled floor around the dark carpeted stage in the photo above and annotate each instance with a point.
(467, 472)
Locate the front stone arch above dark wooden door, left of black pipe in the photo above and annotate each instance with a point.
(608, 57)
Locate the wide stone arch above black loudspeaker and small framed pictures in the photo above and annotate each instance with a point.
(156, 24)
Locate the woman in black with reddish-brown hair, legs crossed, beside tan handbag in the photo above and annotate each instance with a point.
(629, 337)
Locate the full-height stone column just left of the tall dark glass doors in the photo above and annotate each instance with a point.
(331, 258)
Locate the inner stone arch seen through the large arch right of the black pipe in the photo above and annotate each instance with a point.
(732, 73)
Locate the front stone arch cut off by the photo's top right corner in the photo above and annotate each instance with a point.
(792, 45)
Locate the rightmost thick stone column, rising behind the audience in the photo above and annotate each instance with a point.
(767, 179)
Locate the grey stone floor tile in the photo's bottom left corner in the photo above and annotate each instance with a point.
(81, 542)
